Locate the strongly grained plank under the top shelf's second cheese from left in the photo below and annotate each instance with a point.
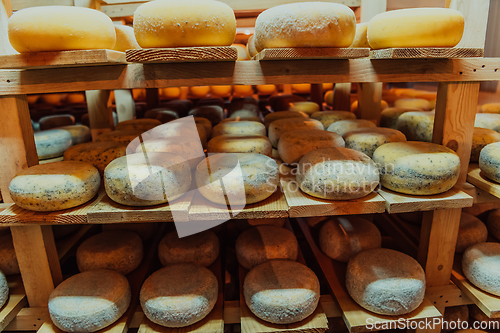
(183, 54)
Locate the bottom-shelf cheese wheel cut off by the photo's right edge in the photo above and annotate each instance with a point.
(481, 266)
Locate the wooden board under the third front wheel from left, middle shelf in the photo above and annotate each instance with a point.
(273, 207)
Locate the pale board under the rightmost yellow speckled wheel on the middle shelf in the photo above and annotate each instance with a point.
(402, 203)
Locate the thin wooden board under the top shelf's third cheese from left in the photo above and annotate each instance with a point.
(307, 53)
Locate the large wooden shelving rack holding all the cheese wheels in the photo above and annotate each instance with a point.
(458, 92)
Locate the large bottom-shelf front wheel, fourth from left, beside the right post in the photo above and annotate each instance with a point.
(385, 281)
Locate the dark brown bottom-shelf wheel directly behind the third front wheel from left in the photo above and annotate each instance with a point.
(265, 242)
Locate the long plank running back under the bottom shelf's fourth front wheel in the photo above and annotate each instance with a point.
(355, 317)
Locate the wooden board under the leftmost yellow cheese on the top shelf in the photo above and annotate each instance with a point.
(62, 59)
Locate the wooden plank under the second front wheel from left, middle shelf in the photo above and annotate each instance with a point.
(108, 211)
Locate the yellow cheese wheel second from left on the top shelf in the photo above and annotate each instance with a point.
(172, 23)
